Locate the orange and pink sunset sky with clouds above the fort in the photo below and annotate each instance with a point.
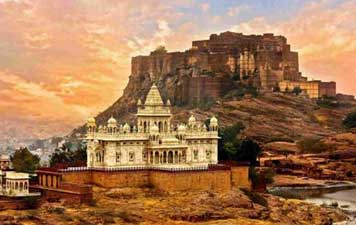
(62, 61)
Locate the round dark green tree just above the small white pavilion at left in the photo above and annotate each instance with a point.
(24, 161)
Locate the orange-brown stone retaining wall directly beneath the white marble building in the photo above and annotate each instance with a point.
(200, 180)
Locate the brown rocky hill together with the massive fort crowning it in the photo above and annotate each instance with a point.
(210, 78)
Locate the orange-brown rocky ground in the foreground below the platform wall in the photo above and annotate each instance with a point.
(149, 206)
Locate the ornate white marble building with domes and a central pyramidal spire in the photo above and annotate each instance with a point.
(153, 142)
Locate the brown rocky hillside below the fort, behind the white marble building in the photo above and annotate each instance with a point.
(267, 117)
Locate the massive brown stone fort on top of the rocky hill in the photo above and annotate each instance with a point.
(211, 67)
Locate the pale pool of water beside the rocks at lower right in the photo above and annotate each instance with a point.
(340, 196)
